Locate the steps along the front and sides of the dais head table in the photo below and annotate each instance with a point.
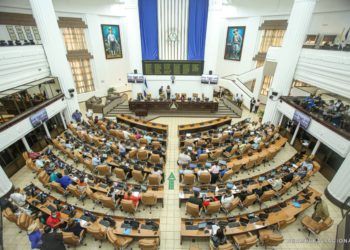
(223, 110)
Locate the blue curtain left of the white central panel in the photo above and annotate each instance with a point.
(149, 29)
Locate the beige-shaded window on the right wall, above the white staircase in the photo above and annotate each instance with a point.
(272, 35)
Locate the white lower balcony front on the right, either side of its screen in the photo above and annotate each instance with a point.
(333, 140)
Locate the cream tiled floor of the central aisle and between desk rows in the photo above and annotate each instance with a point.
(170, 215)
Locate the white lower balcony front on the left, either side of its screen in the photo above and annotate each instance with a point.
(20, 129)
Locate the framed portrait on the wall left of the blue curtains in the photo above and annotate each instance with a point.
(111, 41)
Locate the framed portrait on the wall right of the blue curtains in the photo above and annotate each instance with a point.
(234, 43)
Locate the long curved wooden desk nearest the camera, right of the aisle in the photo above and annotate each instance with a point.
(273, 218)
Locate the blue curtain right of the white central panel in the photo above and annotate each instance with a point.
(197, 27)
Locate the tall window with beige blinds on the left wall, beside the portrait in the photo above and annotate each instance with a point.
(77, 53)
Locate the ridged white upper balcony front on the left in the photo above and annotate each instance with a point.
(22, 64)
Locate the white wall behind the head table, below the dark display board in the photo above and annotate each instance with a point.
(183, 84)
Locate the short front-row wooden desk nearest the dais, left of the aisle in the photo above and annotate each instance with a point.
(142, 124)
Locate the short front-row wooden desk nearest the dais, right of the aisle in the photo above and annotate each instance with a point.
(202, 126)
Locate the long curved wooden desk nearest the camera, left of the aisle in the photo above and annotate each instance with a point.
(137, 233)
